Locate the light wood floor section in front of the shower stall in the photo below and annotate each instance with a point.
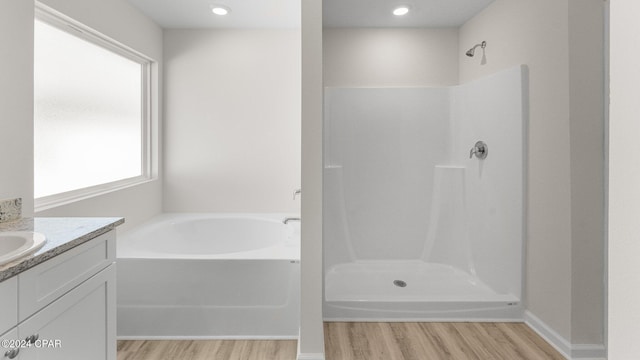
(435, 341)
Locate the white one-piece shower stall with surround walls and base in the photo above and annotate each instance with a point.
(424, 196)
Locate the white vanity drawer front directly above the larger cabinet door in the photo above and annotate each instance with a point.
(46, 282)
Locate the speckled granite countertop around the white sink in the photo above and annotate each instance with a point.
(62, 234)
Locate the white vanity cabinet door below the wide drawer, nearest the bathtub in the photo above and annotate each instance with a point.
(79, 325)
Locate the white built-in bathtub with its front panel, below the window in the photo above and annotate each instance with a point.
(209, 276)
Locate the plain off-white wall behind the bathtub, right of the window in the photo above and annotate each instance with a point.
(232, 121)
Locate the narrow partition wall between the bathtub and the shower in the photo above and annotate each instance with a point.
(311, 339)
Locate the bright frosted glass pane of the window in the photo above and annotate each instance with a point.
(88, 113)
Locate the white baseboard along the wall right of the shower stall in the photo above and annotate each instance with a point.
(564, 347)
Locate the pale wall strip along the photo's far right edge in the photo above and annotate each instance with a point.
(624, 182)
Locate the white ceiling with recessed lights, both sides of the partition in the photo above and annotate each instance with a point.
(195, 14)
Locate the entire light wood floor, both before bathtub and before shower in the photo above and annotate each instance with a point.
(366, 341)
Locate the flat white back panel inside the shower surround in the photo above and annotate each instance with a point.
(381, 147)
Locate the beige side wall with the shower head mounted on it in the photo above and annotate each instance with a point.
(535, 33)
